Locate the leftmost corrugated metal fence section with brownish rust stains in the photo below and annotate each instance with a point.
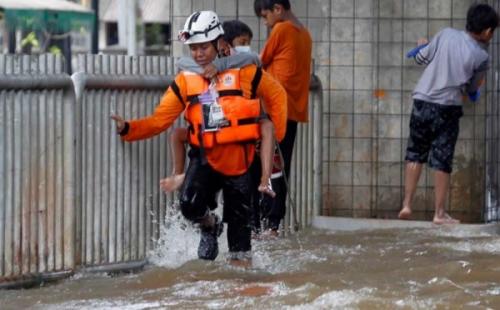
(37, 183)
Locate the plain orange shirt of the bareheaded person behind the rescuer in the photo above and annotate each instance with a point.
(287, 57)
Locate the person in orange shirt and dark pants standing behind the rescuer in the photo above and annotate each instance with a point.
(287, 57)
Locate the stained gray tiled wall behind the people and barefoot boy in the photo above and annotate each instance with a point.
(359, 49)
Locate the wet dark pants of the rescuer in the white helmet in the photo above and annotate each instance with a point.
(197, 196)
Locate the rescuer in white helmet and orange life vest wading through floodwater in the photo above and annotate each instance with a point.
(223, 116)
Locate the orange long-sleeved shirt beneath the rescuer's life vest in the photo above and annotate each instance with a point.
(229, 159)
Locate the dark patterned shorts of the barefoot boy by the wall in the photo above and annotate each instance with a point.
(433, 134)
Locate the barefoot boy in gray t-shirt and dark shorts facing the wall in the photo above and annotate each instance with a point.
(456, 64)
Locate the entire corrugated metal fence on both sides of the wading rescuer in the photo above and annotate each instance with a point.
(73, 195)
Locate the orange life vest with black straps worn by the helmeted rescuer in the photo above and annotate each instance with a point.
(241, 115)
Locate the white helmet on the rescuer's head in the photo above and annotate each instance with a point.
(200, 27)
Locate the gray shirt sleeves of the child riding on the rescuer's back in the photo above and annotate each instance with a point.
(234, 61)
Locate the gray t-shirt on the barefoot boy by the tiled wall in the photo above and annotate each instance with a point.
(456, 64)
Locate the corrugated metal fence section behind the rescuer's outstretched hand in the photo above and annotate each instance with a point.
(118, 185)
